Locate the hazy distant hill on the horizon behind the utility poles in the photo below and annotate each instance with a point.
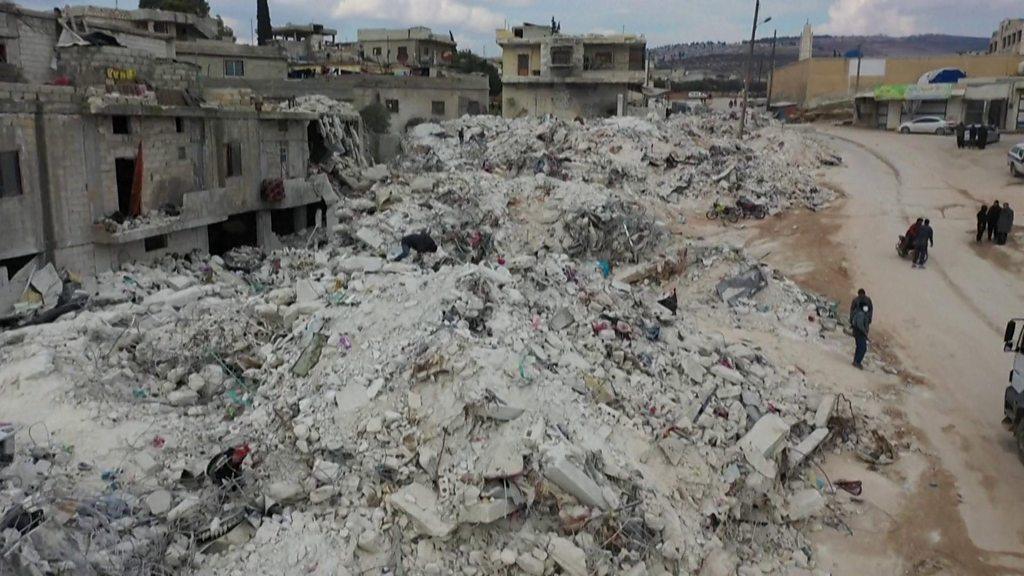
(728, 59)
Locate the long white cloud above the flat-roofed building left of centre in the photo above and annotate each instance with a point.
(452, 14)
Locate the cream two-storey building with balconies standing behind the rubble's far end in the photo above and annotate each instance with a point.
(546, 72)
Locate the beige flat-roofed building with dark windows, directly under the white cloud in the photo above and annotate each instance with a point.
(413, 48)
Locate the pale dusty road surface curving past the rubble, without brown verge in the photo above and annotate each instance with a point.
(946, 322)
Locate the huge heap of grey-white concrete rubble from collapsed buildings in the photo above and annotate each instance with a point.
(507, 403)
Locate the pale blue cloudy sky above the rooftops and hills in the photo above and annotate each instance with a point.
(662, 22)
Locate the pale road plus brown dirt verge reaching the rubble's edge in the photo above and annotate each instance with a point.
(956, 504)
